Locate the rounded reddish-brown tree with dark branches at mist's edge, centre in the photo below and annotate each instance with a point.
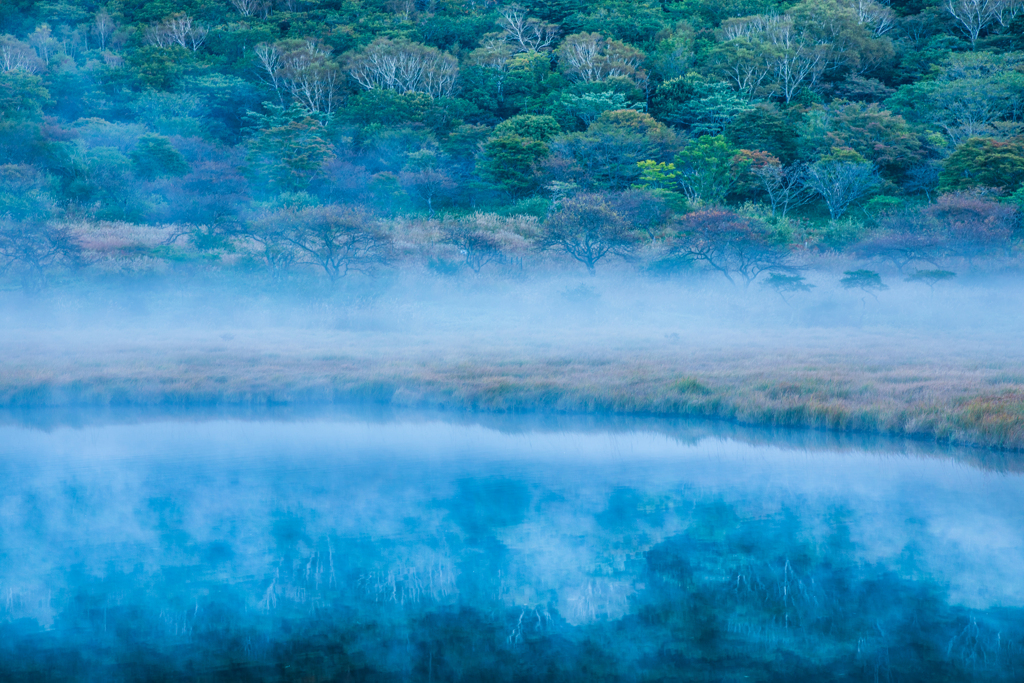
(586, 228)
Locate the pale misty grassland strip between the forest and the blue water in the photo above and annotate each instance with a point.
(941, 364)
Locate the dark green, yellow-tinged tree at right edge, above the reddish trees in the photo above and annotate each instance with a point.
(984, 163)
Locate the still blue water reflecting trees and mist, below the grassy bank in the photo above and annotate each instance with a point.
(411, 547)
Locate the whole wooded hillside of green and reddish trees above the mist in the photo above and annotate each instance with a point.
(744, 138)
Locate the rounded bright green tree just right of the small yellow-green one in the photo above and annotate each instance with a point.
(708, 168)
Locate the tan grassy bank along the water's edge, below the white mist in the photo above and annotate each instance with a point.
(963, 401)
